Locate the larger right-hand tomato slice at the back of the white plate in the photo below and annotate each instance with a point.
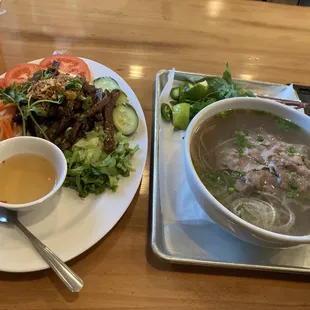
(68, 64)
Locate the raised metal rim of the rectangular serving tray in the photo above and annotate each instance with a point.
(154, 235)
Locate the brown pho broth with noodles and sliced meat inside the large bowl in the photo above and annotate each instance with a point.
(258, 166)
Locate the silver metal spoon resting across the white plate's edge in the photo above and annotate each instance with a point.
(68, 277)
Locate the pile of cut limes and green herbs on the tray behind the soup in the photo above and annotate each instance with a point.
(191, 97)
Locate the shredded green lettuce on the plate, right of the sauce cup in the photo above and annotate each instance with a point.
(91, 169)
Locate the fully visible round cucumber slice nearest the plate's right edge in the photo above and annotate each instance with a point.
(125, 119)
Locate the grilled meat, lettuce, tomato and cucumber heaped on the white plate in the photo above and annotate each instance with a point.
(89, 122)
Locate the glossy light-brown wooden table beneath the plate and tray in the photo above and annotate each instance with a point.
(137, 38)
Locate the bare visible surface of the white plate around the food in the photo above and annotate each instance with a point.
(69, 225)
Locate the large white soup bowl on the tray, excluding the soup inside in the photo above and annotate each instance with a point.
(216, 211)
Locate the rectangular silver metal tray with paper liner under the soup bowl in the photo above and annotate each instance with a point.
(181, 231)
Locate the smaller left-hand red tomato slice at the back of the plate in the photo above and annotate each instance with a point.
(20, 73)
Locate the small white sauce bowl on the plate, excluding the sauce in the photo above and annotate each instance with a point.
(38, 146)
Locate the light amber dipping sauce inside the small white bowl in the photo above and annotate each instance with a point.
(25, 178)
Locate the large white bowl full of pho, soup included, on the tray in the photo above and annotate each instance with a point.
(248, 164)
